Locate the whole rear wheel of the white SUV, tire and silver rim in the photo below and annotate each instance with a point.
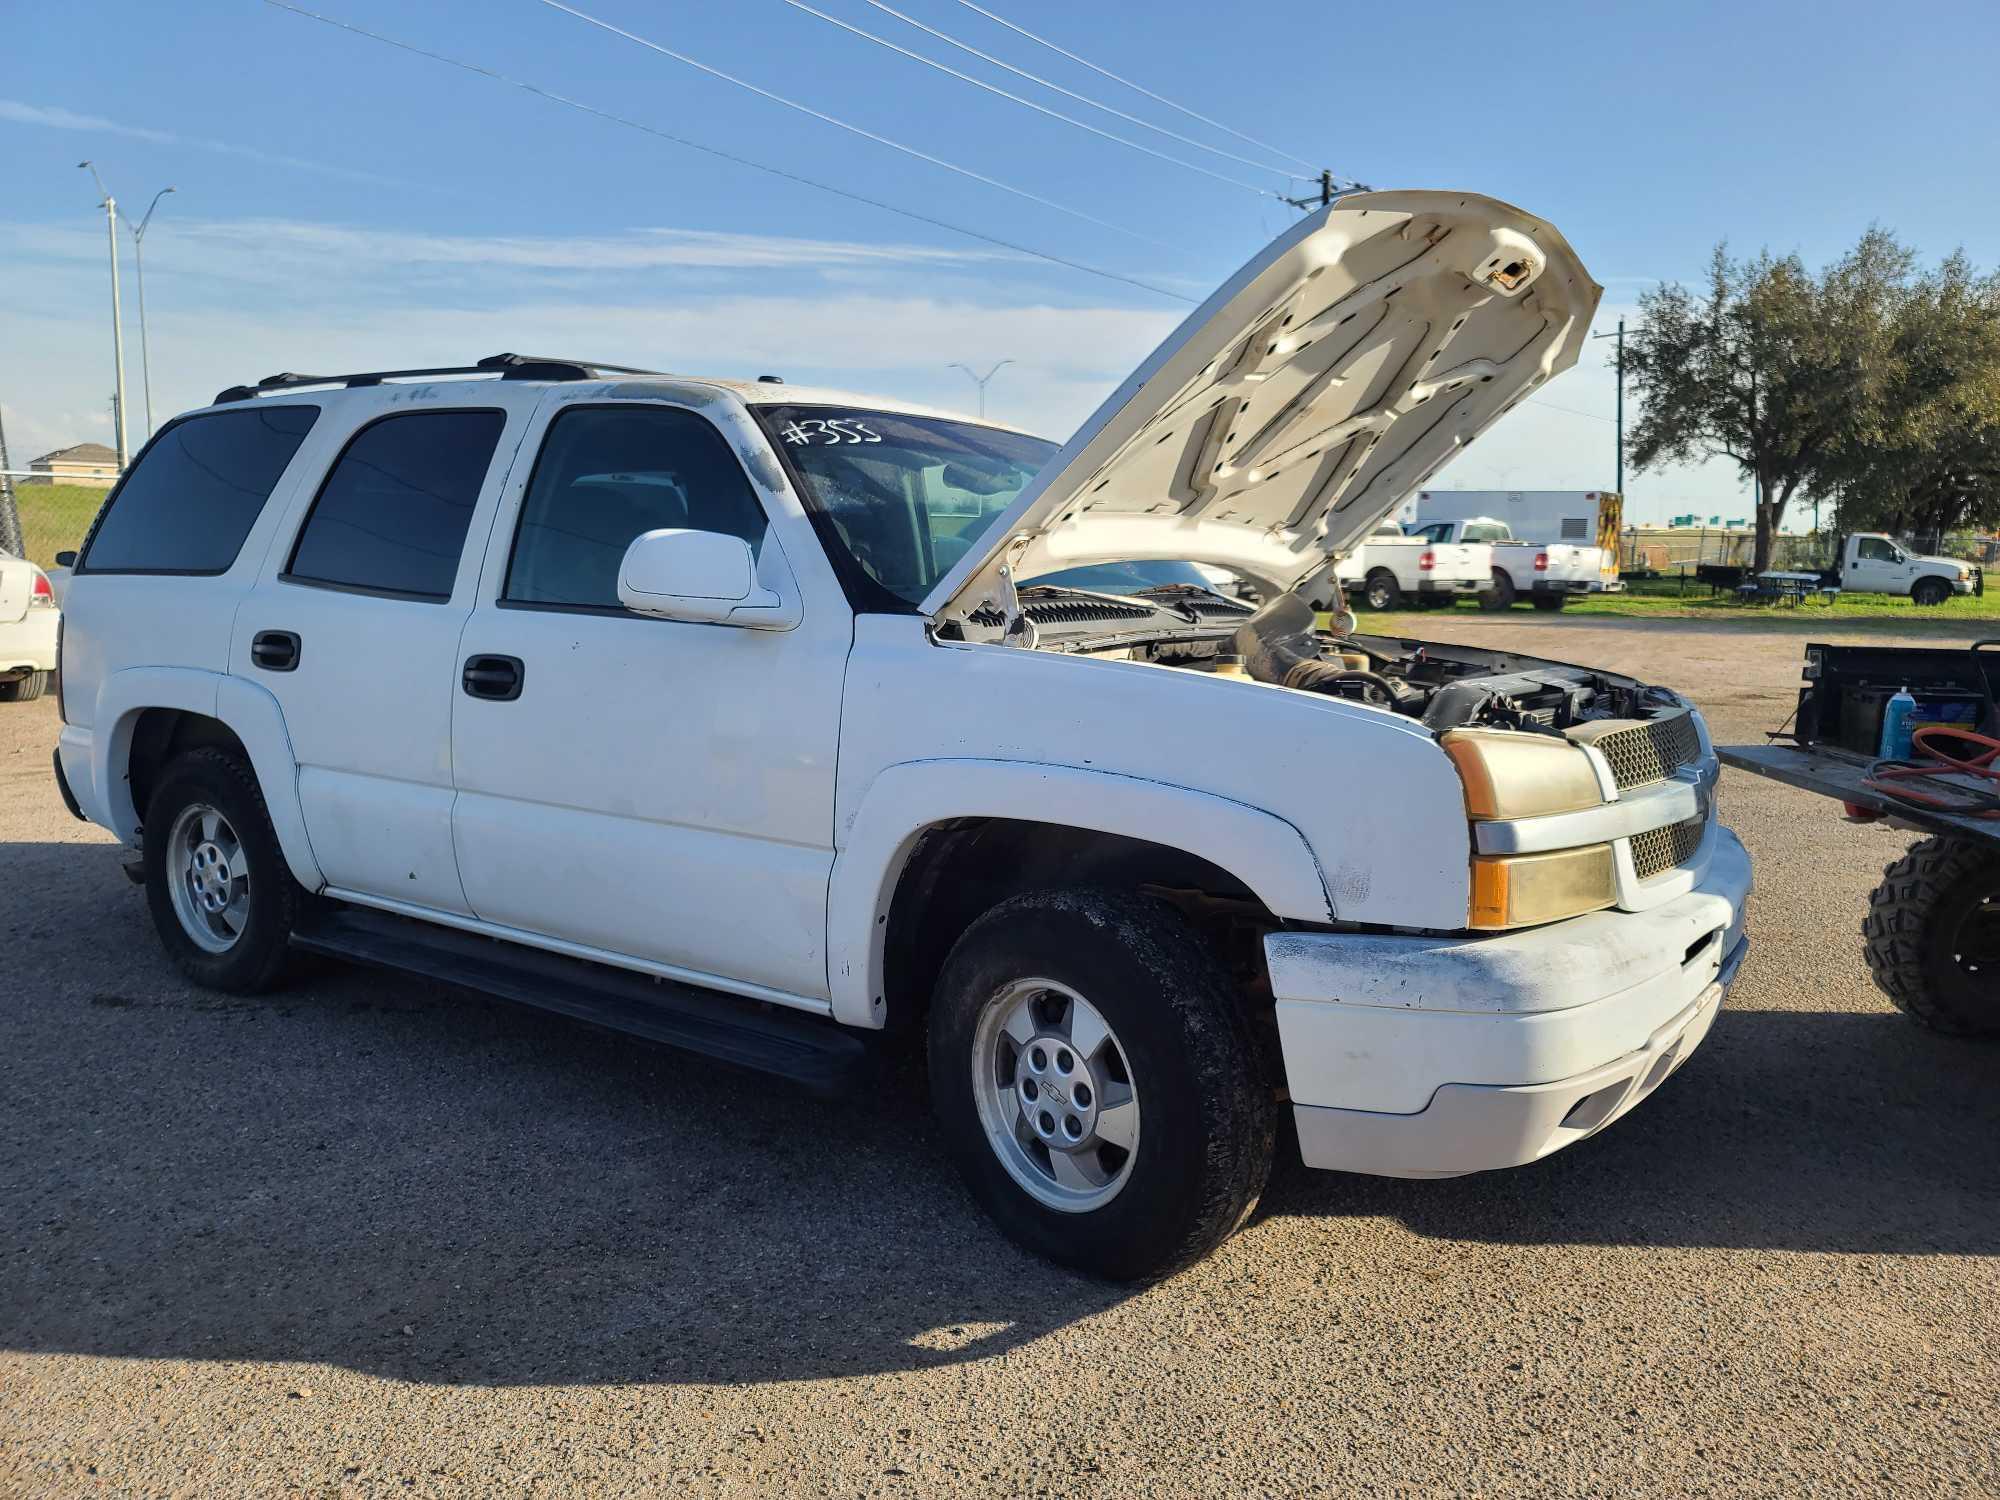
(243, 947)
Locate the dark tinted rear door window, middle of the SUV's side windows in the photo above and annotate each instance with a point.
(395, 509)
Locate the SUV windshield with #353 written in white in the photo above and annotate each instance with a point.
(901, 499)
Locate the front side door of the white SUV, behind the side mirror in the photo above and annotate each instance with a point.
(649, 791)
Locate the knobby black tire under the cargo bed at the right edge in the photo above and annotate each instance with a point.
(1933, 937)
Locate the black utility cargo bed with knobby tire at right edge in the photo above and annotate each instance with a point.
(1933, 927)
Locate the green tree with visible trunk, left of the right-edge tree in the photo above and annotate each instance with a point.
(1769, 369)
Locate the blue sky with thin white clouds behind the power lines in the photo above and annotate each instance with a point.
(343, 205)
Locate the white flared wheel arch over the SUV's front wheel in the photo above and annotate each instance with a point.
(937, 843)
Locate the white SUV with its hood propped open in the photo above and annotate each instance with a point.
(743, 717)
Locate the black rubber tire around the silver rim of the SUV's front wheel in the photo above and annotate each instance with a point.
(1187, 1041)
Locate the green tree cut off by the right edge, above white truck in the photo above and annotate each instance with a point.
(1929, 457)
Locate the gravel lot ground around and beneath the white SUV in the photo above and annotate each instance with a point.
(377, 1237)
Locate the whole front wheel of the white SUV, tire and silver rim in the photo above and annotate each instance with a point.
(1179, 1045)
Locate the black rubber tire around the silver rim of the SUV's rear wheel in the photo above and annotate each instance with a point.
(257, 957)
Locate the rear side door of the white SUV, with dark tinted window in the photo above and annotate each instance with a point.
(355, 629)
